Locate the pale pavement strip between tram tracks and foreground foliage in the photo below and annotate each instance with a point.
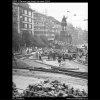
(23, 78)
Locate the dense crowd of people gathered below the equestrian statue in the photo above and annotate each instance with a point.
(62, 55)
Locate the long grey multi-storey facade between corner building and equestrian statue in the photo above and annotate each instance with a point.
(46, 25)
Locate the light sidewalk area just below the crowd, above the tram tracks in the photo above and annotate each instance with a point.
(70, 65)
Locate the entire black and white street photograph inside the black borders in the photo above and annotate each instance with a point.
(50, 50)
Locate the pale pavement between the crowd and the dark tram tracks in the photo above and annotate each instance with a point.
(32, 61)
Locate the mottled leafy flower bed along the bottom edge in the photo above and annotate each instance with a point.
(50, 89)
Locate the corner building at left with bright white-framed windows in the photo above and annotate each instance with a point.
(24, 17)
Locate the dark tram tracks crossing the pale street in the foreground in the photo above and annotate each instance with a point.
(54, 69)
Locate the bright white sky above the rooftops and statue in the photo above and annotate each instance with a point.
(58, 10)
